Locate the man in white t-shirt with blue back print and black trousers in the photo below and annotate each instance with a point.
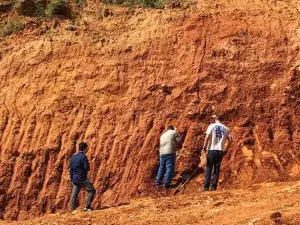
(216, 136)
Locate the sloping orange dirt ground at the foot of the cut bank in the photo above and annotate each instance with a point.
(263, 204)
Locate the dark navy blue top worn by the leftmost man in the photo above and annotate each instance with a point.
(79, 167)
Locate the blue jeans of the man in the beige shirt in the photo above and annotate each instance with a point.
(166, 165)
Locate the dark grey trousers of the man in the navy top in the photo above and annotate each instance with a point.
(87, 185)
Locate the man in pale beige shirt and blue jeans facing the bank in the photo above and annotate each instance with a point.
(167, 150)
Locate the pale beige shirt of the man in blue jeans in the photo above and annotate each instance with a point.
(168, 142)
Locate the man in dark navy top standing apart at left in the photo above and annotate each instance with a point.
(79, 167)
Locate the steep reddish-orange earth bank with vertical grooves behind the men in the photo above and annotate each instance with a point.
(123, 75)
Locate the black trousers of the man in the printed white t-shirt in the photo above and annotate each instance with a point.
(214, 159)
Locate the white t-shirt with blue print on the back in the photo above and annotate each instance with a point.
(219, 133)
